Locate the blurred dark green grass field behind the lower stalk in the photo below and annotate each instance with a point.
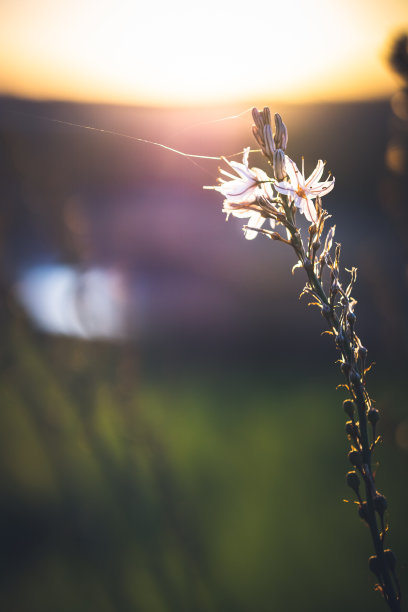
(124, 490)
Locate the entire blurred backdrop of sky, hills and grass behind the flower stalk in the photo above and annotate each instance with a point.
(171, 438)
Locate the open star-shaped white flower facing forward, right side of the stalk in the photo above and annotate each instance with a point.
(303, 191)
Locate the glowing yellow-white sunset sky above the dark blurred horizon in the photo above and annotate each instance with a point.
(163, 53)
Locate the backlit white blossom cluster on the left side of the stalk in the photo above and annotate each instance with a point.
(241, 193)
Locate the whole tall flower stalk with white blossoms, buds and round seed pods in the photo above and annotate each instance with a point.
(279, 199)
